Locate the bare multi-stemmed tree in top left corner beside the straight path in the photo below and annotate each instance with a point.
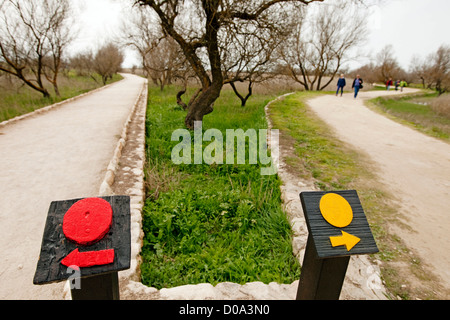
(33, 35)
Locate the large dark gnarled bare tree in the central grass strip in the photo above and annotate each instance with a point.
(199, 39)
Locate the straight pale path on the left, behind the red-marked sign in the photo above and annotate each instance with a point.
(60, 154)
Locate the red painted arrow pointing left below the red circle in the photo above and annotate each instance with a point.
(88, 259)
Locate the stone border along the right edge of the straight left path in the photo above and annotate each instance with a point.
(132, 163)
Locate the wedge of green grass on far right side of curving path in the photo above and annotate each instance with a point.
(417, 112)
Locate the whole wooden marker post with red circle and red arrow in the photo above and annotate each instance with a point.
(86, 241)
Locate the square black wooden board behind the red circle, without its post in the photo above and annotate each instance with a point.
(56, 246)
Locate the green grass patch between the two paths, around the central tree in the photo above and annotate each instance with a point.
(211, 223)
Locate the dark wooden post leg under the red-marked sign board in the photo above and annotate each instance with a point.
(99, 287)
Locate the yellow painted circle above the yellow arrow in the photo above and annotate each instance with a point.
(336, 210)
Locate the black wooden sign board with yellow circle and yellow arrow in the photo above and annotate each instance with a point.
(336, 236)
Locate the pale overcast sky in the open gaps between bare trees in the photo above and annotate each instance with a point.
(412, 27)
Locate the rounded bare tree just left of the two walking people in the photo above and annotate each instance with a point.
(320, 43)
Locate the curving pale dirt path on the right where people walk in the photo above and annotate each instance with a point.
(414, 166)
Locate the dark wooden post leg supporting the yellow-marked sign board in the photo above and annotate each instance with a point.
(321, 279)
